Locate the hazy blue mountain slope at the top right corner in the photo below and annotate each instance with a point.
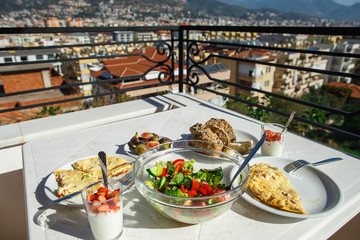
(317, 8)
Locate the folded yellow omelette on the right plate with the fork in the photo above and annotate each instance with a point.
(271, 186)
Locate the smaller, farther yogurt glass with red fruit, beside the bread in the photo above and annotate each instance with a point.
(274, 142)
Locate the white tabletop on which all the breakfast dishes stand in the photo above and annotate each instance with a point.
(141, 221)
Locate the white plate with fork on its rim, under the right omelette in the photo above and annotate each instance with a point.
(319, 194)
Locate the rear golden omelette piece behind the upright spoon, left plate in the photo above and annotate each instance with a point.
(92, 166)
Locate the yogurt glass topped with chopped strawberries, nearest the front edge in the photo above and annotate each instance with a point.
(104, 208)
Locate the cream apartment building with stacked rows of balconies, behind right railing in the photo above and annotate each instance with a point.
(295, 83)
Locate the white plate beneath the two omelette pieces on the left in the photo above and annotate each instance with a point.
(51, 185)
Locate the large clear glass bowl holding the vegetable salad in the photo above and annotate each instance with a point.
(158, 177)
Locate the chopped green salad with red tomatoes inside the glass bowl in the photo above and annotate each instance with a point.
(177, 178)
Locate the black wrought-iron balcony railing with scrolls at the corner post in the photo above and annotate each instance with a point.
(180, 48)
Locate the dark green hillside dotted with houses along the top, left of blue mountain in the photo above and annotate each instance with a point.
(198, 8)
